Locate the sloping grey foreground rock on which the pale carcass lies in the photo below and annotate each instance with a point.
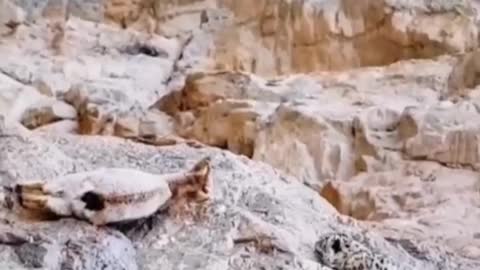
(249, 198)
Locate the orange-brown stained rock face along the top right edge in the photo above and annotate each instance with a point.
(280, 37)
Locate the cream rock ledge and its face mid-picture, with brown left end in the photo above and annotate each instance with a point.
(354, 120)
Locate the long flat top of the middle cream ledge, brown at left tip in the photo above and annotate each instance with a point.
(395, 86)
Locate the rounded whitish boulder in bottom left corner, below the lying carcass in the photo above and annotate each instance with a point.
(47, 246)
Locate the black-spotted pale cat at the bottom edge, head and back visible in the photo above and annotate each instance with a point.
(341, 252)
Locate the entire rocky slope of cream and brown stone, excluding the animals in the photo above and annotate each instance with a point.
(346, 116)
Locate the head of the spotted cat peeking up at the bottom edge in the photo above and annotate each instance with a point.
(333, 249)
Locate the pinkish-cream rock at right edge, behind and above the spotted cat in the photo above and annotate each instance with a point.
(420, 200)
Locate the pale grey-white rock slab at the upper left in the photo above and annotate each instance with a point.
(95, 58)
